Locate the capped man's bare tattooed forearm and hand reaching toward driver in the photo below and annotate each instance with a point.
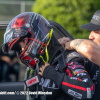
(86, 48)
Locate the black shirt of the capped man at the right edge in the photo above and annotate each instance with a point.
(94, 72)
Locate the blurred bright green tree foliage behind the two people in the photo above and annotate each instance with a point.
(69, 13)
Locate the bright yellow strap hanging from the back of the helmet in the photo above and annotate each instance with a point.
(46, 51)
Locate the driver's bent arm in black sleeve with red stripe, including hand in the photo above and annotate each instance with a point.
(74, 82)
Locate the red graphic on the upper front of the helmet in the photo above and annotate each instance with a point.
(21, 20)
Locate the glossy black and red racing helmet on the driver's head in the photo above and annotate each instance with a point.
(33, 26)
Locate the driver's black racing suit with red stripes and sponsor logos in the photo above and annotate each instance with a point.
(66, 76)
